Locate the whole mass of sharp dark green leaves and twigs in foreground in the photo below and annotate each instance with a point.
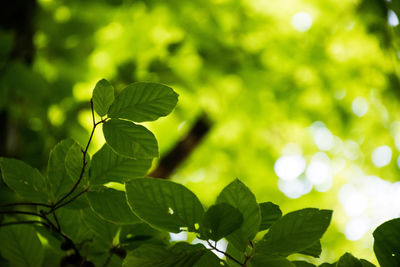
(72, 215)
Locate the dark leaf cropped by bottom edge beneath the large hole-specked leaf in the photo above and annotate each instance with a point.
(180, 255)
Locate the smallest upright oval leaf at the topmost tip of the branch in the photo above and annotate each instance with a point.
(103, 97)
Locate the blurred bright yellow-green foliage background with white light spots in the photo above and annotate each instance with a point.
(302, 95)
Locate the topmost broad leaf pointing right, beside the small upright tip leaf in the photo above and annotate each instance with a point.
(143, 102)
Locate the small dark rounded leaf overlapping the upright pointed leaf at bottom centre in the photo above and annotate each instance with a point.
(219, 221)
